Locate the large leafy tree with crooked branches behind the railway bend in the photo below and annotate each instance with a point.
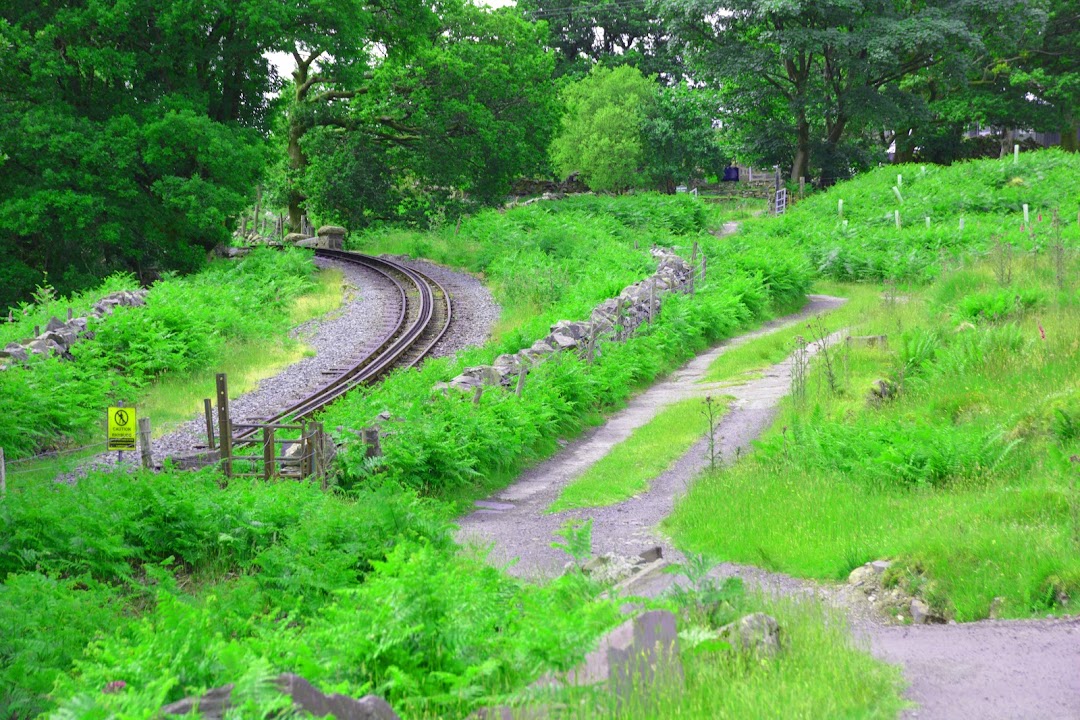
(472, 107)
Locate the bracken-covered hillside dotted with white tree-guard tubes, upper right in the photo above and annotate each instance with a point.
(973, 207)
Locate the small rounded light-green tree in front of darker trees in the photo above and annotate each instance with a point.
(602, 131)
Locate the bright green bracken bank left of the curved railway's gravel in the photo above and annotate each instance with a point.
(188, 324)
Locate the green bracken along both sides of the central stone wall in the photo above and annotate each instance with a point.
(445, 444)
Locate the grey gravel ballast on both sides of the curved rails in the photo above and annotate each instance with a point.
(371, 307)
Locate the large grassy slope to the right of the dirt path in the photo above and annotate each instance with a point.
(961, 473)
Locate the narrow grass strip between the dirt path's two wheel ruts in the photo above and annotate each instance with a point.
(631, 465)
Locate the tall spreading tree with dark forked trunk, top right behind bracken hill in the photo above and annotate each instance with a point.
(836, 65)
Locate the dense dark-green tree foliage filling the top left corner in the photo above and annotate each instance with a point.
(132, 135)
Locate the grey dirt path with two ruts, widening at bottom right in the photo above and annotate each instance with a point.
(987, 670)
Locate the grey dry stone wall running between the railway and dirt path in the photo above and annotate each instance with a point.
(614, 319)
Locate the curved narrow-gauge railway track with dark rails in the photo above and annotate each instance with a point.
(424, 319)
